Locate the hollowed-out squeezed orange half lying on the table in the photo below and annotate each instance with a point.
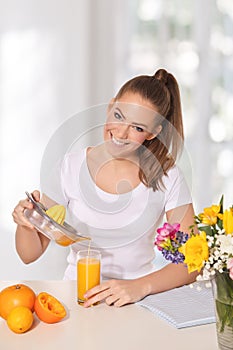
(48, 308)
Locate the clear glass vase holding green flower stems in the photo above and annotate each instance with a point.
(222, 286)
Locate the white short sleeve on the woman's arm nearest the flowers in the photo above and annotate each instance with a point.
(177, 192)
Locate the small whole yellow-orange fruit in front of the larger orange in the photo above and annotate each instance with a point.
(20, 319)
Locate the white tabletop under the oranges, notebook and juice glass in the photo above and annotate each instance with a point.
(102, 327)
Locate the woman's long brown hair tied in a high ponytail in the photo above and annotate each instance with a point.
(158, 155)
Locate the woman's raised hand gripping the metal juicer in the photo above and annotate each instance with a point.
(18, 213)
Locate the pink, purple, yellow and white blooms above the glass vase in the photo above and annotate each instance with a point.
(208, 251)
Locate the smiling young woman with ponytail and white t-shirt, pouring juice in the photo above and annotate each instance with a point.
(120, 190)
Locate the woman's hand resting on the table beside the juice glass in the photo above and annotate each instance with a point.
(116, 292)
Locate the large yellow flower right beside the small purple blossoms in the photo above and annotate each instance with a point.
(196, 252)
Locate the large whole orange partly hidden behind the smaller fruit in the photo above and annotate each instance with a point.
(16, 295)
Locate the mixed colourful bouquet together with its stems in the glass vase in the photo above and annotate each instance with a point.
(210, 252)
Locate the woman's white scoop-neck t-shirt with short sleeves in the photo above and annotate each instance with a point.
(121, 226)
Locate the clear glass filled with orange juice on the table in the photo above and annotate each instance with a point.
(88, 272)
